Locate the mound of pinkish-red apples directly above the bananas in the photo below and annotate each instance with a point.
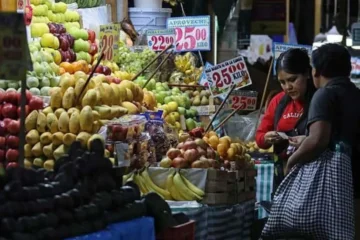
(194, 153)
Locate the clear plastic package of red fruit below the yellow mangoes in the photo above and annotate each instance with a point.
(125, 128)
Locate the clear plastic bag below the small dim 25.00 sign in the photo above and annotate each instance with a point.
(243, 126)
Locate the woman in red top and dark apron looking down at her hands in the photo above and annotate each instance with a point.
(287, 111)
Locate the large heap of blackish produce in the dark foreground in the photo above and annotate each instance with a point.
(82, 195)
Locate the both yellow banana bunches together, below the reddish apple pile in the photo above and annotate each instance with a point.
(177, 187)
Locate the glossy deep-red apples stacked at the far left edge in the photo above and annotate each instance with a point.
(10, 123)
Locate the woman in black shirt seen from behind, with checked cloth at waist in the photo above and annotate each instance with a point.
(316, 197)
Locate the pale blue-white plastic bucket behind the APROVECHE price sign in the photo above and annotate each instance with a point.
(149, 18)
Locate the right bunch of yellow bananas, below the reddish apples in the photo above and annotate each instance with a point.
(182, 189)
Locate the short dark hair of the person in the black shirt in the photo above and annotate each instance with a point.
(332, 60)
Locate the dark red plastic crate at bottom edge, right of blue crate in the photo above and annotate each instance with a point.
(184, 231)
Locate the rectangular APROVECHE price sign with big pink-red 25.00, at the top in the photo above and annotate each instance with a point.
(192, 33)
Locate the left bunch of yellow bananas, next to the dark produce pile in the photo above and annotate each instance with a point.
(146, 184)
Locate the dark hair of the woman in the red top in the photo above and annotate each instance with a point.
(297, 61)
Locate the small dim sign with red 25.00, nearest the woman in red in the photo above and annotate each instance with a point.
(243, 100)
